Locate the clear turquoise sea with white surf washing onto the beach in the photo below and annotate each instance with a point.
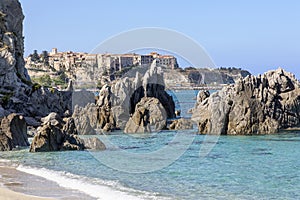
(164, 165)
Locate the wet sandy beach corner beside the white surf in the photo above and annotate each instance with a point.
(18, 185)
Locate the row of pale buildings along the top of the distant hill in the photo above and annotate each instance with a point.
(104, 63)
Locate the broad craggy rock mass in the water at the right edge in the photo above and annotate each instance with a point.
(255, 105)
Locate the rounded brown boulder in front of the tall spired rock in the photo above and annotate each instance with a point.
(149, 116)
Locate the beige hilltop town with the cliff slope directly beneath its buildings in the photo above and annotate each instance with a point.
(84, 67)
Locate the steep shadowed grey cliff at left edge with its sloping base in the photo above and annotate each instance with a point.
(17, 93)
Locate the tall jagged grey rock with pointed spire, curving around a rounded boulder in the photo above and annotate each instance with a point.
(123, 95)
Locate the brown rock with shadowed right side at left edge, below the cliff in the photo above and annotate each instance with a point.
(13, 132)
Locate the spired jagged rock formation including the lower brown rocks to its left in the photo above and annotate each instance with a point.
(117, 102)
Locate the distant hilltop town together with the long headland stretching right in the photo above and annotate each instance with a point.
(55, 69)
